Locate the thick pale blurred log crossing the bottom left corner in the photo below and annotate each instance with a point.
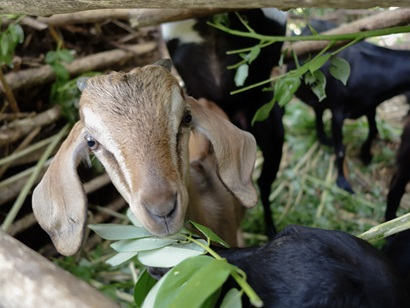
(29, 280)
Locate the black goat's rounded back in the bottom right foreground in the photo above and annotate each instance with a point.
(310, 267)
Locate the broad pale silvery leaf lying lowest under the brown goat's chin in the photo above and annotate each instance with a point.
(170, 256)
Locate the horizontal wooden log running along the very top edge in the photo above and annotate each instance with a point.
(46, 7)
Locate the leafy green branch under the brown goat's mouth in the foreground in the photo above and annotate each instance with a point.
(194, 277)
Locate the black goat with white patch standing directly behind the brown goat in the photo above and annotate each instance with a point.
(199, 53)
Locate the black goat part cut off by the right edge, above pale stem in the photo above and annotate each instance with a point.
(402, 174)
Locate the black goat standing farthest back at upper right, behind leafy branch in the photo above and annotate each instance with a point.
(377, 74)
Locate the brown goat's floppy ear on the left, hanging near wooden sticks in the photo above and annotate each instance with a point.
(59, 201)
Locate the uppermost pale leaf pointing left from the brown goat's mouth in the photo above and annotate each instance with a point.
(119, 232)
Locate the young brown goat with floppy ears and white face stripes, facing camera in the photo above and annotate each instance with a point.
(138, 124)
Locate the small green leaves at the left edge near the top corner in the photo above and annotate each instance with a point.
(9, 38)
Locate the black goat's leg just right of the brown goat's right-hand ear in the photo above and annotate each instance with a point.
(269, 135)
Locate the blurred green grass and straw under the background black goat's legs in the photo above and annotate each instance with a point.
(305, 192)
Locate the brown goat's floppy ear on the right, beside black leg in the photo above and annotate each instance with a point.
(235, 152)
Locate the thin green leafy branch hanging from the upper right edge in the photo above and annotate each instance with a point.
(288, 83)
